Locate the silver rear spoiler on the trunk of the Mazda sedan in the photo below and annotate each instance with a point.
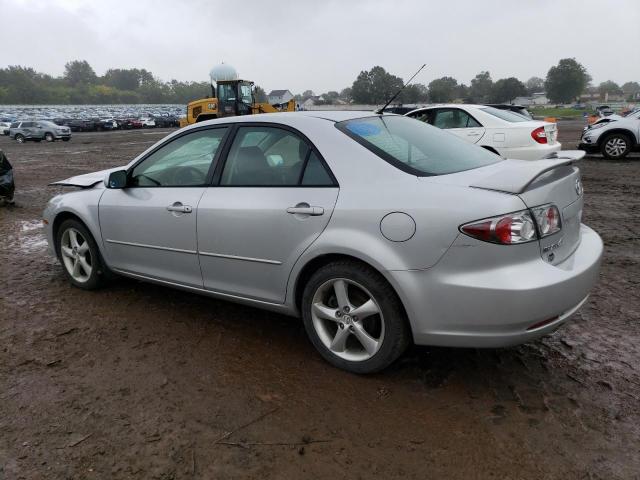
(515, 176)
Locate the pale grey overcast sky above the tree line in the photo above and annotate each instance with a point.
(323, 45)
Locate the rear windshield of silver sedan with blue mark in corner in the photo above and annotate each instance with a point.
(416, 147)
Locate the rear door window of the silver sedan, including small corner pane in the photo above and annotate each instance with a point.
(271, 156)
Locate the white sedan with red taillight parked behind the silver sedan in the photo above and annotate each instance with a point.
(503, 132)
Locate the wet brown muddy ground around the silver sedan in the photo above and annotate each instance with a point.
(144, 382)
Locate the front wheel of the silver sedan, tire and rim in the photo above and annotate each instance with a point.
(79, 255)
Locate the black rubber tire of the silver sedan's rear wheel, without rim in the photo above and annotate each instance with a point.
(397, 336)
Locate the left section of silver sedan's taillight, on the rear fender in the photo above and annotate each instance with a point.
(507, 229)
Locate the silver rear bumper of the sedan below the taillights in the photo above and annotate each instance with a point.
(458, 305)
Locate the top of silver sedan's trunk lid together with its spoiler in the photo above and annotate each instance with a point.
(509, 176)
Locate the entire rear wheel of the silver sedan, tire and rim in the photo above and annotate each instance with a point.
(354, 318)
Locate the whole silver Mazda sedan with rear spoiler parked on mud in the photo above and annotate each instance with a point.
(377, 230)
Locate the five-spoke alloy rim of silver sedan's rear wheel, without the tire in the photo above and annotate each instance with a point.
(347, 319)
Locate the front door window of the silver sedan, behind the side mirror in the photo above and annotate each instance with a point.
(183, 162)
